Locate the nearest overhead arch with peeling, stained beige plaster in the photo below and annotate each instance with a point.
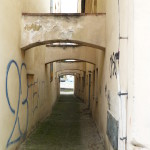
(38, 30)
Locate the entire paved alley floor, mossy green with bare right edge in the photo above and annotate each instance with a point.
(70, 127)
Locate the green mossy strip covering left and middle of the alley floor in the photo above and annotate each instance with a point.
(61, 130)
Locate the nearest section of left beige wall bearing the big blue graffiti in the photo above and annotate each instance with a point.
(10, 14)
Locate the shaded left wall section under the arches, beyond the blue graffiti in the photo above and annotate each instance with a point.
(42, 91)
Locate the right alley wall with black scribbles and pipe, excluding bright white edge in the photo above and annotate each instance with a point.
(108, 67)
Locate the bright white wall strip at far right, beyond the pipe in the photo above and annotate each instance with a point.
(141, 103)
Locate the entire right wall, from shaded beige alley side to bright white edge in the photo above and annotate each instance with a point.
(131, 69)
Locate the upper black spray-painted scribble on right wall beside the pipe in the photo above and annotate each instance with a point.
(113, 65)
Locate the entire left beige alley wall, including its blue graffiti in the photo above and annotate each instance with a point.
(24, 99)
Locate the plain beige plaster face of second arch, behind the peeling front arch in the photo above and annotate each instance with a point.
(82, 53)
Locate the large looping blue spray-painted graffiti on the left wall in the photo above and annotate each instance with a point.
(23, 102)
